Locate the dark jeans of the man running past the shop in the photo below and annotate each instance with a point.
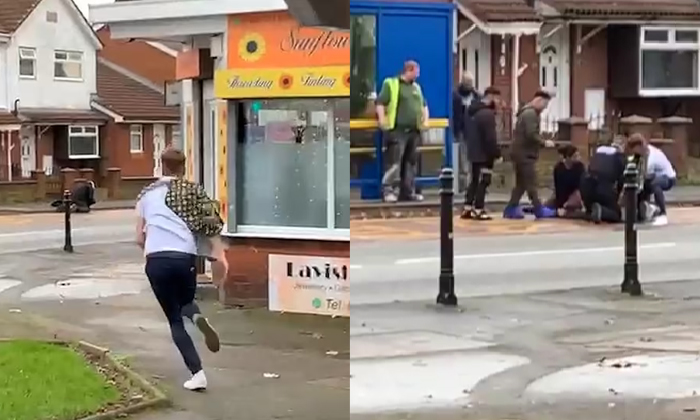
(173, 278)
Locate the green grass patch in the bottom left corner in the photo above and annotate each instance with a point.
(41, 381)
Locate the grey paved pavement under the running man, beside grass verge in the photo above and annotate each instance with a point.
(100, 294)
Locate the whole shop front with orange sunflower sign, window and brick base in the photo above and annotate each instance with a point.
(283, 163)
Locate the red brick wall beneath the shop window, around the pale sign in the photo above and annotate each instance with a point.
(248, 264)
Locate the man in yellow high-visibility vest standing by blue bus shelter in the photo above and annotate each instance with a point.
(402, 114)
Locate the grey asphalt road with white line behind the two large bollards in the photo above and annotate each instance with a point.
(485, 265)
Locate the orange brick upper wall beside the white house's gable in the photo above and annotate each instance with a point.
(138, 57)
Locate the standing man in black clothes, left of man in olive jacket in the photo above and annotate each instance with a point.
(483, 151)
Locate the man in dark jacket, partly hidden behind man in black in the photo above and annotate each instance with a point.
(462, 125)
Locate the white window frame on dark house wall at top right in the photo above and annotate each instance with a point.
(670, 45)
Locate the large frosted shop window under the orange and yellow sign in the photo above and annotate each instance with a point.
(293, 167)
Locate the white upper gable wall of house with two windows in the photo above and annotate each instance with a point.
(69, 33)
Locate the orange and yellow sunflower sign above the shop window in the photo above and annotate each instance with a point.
(271, 56)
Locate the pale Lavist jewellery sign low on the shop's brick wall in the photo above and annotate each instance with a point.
(309, 284)
